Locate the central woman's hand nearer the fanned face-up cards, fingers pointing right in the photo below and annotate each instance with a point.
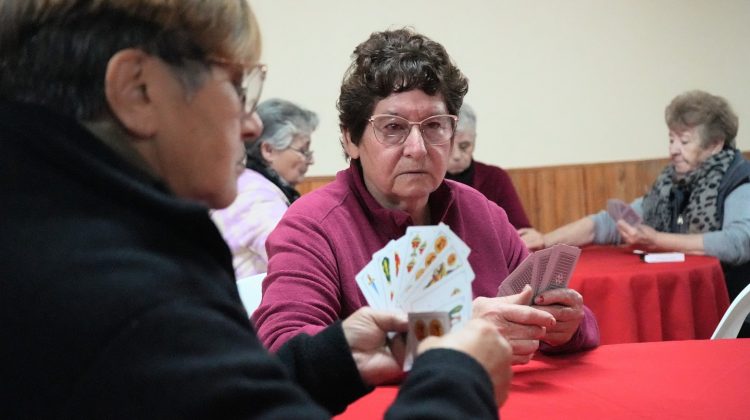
(522, 325)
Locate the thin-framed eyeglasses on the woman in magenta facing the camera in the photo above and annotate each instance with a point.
(393, 130)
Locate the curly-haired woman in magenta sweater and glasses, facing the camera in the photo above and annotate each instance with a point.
(397, 111)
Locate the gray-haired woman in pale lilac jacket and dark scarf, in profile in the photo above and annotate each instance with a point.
(276, 162)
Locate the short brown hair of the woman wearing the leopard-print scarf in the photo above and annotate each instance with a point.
(698, 108)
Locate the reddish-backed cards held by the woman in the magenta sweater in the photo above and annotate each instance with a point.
(546, 269)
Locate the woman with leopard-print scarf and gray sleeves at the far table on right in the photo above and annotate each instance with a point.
(698, 204)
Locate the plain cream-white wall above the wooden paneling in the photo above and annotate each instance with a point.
(552, 81)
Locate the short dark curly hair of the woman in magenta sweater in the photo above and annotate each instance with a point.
(391, 62)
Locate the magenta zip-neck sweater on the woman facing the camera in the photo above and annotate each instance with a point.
(327, 236)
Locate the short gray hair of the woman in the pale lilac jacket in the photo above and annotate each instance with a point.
(282, 121)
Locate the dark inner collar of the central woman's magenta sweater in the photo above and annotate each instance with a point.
(393, 220)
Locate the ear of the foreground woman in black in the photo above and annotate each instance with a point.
(126, 88)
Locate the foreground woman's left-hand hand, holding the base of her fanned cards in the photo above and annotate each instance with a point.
(365, 331)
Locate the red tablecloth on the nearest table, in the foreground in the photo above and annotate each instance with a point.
(696, 379)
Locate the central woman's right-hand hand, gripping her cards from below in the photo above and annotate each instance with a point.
(566, 306)
